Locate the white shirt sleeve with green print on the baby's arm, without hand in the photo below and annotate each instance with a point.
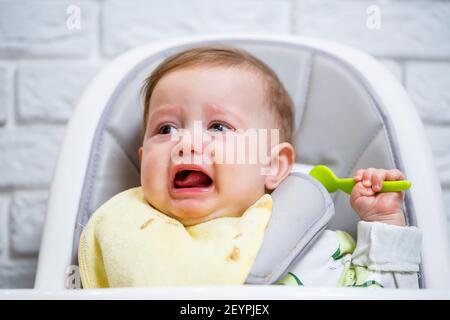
(384, 256)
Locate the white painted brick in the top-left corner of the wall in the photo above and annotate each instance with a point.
(37, 29)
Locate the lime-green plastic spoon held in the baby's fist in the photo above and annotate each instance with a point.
(333, 183)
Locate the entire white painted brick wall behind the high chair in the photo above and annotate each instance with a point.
(44, 66)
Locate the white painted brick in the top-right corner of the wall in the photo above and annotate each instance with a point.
(408, 28)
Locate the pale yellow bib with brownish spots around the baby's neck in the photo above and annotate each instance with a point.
(128, 243)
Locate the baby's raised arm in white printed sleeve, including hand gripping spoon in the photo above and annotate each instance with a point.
(386, 253)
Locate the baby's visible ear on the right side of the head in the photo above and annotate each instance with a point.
(281, 162)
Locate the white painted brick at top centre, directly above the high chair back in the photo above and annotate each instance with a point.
(124, 26)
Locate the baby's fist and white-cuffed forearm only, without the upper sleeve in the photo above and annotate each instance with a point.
(385, 246)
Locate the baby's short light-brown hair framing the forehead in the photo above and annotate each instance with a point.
(225, 56)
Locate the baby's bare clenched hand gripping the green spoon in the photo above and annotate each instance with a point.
(372, 206)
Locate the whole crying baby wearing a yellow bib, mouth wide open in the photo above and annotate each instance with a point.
(200, 214)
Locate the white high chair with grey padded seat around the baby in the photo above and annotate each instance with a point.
(350, 113)
